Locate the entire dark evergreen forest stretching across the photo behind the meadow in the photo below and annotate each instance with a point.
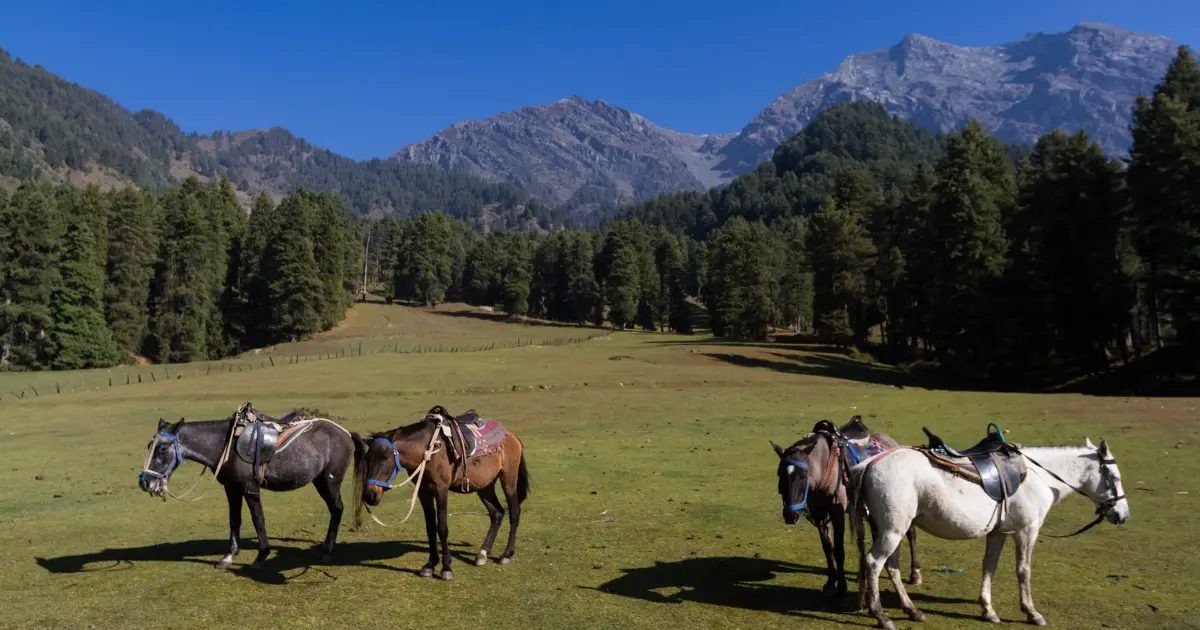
(998, 263)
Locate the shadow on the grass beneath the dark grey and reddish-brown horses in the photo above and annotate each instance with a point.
(297, 555)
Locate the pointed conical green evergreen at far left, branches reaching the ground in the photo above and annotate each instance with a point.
(79, 338)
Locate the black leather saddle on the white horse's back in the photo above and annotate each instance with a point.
(998, 465)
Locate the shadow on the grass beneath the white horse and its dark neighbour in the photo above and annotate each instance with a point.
(746, 584)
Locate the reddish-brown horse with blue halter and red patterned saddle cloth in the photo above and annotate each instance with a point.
(443, 454)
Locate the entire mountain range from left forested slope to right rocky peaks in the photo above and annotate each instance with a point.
(587, 158)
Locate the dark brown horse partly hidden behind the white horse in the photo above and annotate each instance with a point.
(814, 481)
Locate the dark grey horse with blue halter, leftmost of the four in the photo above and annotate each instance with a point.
(319, 457)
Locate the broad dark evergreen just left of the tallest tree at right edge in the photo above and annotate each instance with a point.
(1070, 233)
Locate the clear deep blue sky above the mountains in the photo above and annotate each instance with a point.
(367, 79)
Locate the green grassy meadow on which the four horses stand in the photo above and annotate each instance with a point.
(653, 501)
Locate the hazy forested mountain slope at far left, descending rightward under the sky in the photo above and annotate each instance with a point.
(56, 129)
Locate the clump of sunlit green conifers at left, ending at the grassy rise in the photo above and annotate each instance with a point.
(92, 279)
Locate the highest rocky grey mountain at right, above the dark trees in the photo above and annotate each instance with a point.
(1085, 79)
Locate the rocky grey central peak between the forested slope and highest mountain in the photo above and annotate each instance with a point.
(575, 152)
